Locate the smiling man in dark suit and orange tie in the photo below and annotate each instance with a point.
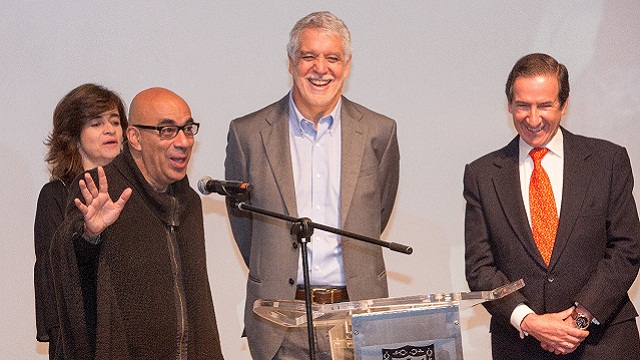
(579, 259)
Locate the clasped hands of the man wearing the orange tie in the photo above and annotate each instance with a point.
(555, 333)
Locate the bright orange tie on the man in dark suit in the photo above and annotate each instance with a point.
(544, 216)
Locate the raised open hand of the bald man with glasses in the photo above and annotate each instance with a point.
(100, 211)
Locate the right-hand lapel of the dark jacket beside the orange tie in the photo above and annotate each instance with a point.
(574, 187)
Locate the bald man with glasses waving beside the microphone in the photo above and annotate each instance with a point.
(153, 296)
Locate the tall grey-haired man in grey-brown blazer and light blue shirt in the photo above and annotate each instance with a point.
(314, 153)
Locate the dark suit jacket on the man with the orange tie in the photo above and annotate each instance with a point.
(597, 249)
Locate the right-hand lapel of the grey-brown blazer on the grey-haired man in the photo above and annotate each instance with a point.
(353, 144)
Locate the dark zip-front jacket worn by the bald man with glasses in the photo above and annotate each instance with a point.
(152, 284)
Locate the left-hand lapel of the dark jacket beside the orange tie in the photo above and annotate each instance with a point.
(509, 195)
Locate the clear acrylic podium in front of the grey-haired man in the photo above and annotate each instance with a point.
(425, 327)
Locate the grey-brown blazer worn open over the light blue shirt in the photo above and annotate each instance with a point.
(258, 152)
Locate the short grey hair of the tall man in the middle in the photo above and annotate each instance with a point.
(324, 21)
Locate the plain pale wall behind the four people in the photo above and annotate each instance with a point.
(437, 67)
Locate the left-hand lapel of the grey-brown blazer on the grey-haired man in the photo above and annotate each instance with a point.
(275, 139)
